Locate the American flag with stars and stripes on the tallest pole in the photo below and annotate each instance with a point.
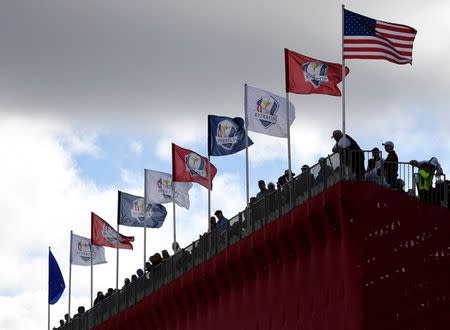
(368, 38)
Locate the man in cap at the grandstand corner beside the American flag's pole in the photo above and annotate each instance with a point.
(352, 153)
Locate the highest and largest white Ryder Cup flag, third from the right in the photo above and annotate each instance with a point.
(266, 113)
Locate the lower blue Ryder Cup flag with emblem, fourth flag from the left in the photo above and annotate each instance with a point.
(134, 212)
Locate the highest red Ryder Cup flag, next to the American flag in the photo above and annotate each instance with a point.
(306, 75)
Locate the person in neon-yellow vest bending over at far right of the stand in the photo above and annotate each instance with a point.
(425, 175)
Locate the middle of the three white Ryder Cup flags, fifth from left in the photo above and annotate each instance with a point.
(158, 189)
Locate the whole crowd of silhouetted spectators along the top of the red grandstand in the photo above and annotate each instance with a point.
(380, 171)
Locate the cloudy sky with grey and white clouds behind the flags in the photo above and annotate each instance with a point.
(92, 92)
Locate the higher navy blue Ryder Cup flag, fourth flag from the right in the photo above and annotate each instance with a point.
(226, 135)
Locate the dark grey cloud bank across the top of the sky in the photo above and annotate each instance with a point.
(116, 61)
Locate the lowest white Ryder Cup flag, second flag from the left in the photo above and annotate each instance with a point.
(81, 252)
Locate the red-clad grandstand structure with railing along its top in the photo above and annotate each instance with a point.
(336, 254)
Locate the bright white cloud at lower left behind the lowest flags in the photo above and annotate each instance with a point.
(44, 197)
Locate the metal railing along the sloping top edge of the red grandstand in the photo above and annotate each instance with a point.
(304, 186)
